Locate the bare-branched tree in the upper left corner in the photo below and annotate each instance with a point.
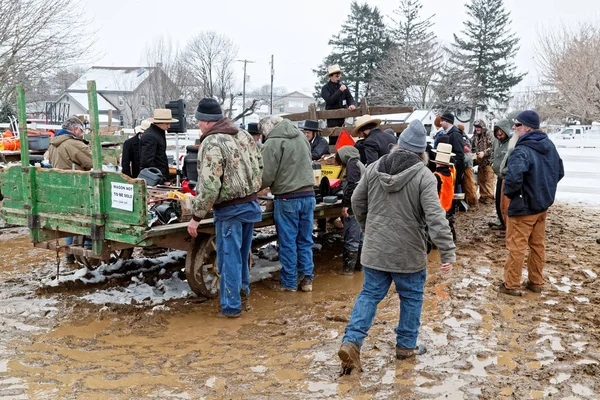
(36, 38)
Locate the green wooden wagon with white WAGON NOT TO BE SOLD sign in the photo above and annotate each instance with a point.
(109, 207)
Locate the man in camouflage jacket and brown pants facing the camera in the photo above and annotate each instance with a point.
(482, 148)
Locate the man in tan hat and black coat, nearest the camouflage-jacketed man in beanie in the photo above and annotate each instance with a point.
(154, 142)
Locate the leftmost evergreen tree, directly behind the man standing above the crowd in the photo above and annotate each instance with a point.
(358, 48)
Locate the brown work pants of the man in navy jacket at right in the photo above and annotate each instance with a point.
(521, 232)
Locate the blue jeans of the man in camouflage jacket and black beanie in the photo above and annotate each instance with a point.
(234, 226)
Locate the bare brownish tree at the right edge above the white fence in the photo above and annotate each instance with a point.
(569, 63)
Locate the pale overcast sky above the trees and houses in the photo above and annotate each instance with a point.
(295, 32)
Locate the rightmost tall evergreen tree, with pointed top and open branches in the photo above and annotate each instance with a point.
(486, 54)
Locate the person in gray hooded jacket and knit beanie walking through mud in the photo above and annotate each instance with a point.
(394, 203)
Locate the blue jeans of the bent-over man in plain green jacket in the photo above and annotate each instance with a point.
(294, 221)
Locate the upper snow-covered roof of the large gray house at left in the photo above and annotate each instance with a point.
(112, 79)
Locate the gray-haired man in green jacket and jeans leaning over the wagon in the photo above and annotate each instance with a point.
(288, 172)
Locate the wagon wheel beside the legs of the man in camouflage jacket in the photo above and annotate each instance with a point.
(201, 268)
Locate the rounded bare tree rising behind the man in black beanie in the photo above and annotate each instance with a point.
(210, 57)
